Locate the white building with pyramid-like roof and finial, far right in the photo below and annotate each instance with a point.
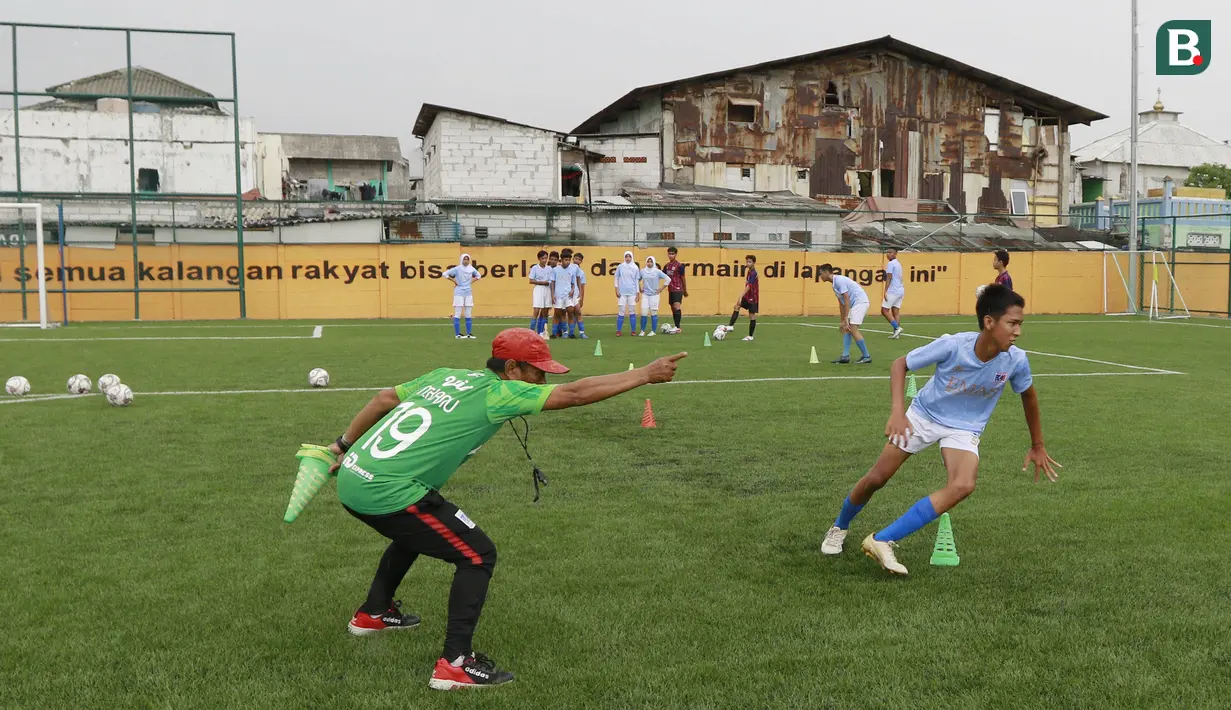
(1166, 148)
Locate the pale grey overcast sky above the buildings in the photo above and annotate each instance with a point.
(365, 68)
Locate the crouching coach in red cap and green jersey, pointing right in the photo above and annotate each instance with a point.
(407, 444)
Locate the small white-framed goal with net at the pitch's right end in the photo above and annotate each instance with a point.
(1160, 298)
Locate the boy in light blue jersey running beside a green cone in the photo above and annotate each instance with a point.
(972, 371)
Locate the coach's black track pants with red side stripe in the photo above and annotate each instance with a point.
(436, 529)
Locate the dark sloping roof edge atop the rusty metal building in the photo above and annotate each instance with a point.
(1026, 95)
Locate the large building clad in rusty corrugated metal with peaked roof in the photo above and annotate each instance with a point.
(875, 120)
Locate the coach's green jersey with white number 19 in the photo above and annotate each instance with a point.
(444, 419)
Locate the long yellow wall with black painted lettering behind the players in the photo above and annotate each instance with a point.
(396, 281)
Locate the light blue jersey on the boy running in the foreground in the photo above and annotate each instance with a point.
(964, 391)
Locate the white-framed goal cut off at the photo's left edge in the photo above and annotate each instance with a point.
(24, 277)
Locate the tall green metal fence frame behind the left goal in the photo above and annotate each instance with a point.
(134, 195)
